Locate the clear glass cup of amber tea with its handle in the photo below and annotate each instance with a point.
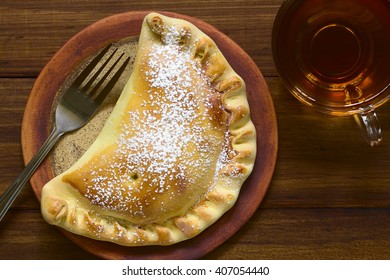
(334, 55)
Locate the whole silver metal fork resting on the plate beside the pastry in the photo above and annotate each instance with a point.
(75, 108)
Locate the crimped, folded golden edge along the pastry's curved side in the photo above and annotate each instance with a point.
(67, 209)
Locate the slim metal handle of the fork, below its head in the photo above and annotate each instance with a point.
(16, 187)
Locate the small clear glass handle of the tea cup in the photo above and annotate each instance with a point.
(369, 125)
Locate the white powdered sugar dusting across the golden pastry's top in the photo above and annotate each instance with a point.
(165, 144)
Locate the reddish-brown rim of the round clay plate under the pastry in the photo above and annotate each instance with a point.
(38, 118)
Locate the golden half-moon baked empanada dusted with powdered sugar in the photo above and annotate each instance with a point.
(173, 154)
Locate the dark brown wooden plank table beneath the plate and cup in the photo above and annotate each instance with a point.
(330, 193)
